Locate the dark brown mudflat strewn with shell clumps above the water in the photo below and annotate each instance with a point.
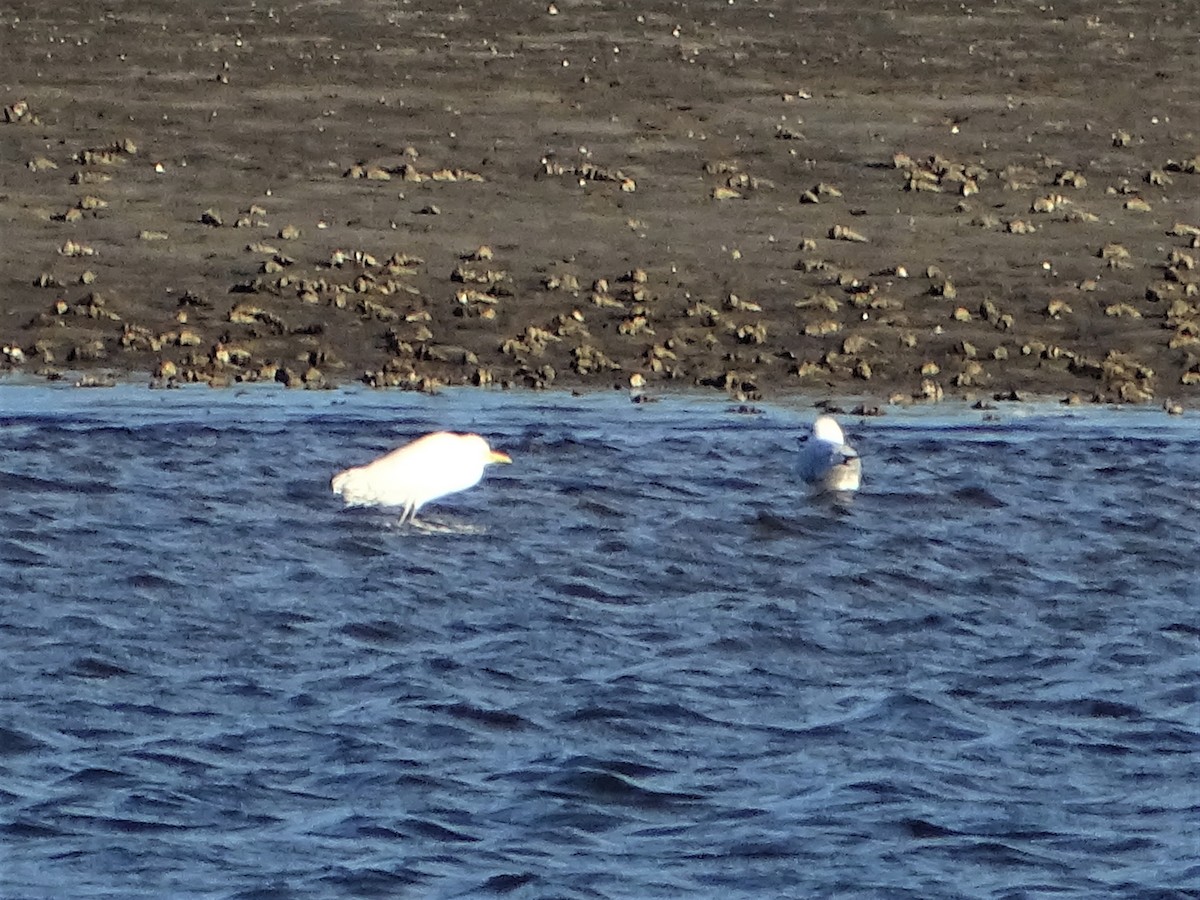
(928, 201)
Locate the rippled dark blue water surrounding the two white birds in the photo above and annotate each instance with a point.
(638, 663)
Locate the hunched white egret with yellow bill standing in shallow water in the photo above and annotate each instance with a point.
(417, 473)
